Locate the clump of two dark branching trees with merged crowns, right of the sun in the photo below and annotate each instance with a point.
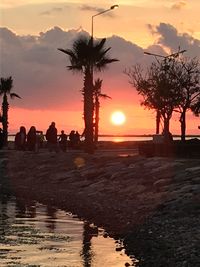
(168, 85)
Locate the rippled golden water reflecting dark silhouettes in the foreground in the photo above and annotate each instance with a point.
(34, 234)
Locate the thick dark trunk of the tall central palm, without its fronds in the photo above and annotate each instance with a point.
(88, 112)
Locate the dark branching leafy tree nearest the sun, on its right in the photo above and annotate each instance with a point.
(157, 87)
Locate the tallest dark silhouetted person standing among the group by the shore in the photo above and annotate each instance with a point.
(51, 136)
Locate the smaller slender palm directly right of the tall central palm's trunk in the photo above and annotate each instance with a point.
(97, 95)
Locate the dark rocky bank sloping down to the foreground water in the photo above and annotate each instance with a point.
(152, 203)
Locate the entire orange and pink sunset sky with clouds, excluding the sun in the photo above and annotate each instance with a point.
(32, 30)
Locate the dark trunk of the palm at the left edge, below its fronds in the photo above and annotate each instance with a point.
(5, 107)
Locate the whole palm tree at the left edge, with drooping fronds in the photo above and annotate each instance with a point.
(6, 86)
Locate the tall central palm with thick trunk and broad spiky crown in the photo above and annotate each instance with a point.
(86, 56)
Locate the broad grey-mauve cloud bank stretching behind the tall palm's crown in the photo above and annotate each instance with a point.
(40, 74)
